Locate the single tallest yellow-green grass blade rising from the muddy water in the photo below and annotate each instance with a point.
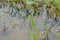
(33, 24)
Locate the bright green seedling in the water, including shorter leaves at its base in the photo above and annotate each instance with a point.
(34, 35)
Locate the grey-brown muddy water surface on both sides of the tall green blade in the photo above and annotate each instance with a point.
(11, 29)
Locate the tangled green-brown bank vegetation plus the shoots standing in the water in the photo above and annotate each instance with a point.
(32, 8)
